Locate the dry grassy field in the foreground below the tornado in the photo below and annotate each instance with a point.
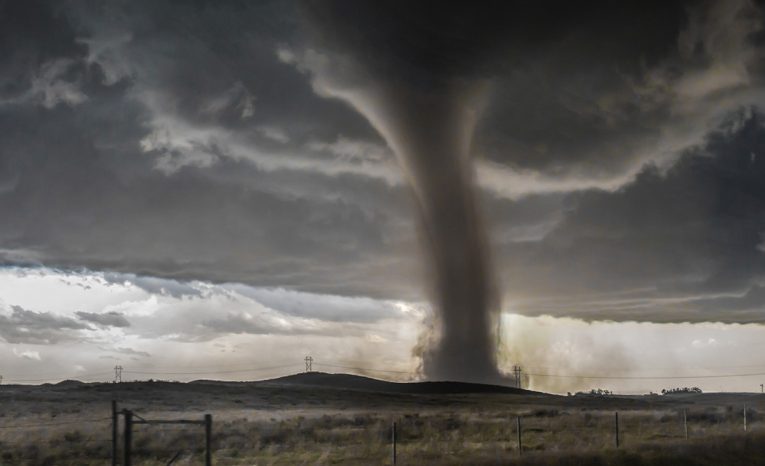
(273, 423)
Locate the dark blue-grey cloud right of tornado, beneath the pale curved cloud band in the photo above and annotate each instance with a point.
(674, 244)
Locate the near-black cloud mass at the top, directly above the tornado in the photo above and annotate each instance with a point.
(414, 41)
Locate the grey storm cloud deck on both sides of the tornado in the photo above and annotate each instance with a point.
(178, 140)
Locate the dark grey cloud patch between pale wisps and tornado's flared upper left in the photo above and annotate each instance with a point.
(165, 45)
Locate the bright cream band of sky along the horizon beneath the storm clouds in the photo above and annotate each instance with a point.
(192, 330)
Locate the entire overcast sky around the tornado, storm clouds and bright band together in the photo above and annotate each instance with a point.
(179, 187)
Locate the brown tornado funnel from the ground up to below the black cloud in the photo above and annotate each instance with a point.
(430, 133)
